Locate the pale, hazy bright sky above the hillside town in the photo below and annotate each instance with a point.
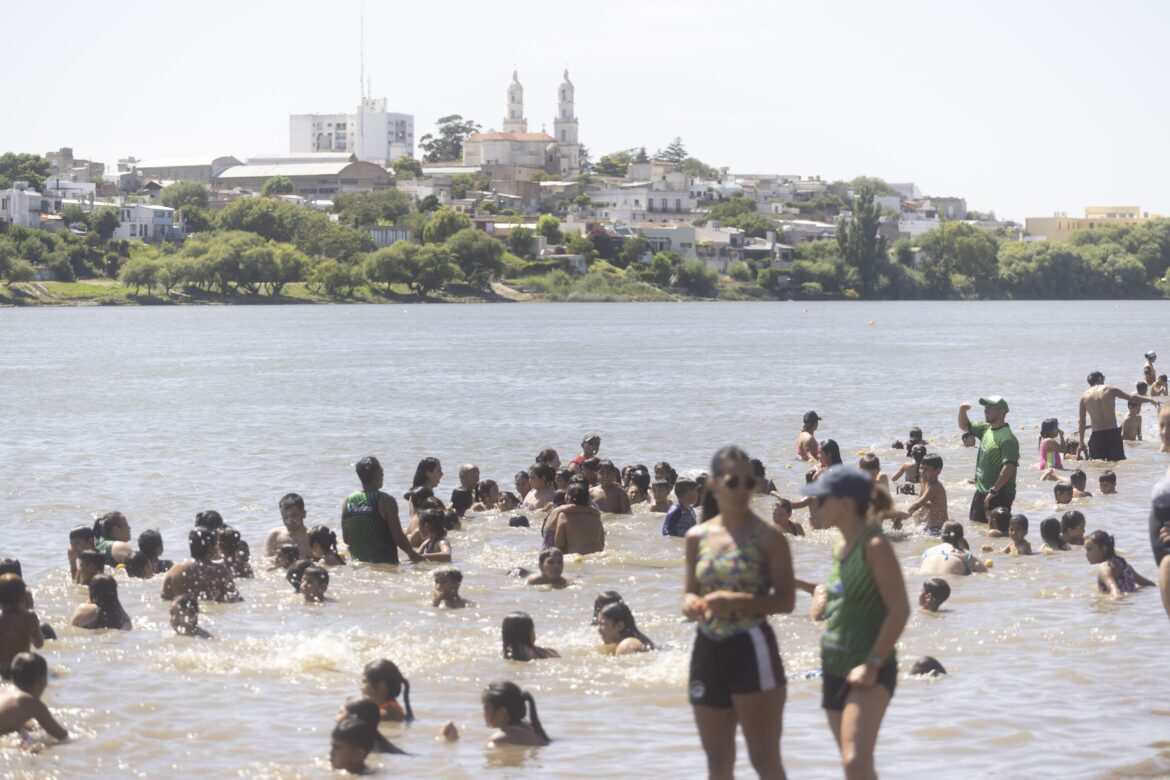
(1021, 108)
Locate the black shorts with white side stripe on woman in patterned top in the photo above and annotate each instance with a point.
(745, 664)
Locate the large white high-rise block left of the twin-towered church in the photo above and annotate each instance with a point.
(371, 134)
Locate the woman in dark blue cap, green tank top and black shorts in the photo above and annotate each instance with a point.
(866, 612)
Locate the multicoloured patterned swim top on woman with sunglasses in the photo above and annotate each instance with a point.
(740, 569)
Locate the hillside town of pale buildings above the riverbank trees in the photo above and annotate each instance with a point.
(737, 225)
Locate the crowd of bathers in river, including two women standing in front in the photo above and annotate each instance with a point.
(739, 571)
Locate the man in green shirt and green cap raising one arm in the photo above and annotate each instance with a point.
(999, 460)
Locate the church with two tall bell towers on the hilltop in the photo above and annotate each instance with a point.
(517, 147)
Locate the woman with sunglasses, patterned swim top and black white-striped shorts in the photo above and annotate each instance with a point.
(739, 572)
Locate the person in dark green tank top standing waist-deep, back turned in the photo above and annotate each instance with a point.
(370, 524)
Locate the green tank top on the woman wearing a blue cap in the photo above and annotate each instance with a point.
(855, 613)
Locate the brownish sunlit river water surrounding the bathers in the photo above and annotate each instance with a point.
(163, 412)
